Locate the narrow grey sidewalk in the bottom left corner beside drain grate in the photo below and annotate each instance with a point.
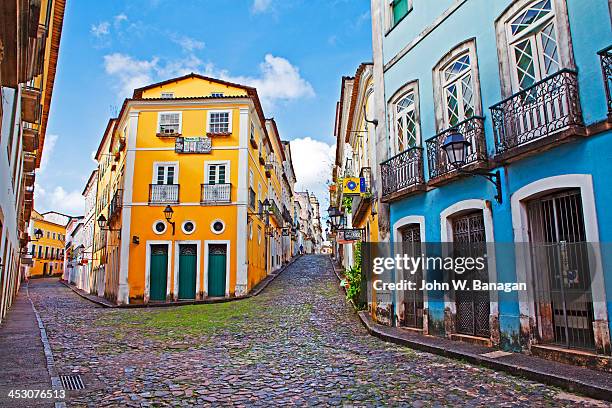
(23, 361)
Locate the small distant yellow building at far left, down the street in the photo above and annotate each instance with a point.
(47, 251)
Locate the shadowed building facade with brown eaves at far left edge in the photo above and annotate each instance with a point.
(29, 46)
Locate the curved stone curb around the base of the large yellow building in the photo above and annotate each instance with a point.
(254, 292)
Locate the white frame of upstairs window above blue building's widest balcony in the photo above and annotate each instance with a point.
(504, 48)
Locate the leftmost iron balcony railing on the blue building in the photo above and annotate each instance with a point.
(402, 171)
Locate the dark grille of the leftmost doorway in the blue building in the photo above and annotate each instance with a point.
(411, 312)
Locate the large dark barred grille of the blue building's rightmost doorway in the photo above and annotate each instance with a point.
(560, 264)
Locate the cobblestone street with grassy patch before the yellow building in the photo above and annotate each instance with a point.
(298, 343)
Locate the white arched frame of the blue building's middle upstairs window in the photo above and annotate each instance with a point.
(467, 47)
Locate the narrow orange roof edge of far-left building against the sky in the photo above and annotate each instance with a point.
(59, 7)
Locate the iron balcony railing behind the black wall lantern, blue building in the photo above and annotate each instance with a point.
(472, 130)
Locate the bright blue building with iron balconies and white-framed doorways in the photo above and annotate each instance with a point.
(522, 82)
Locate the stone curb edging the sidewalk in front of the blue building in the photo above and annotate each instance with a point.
(561, 381)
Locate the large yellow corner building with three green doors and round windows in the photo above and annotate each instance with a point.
(185, 173)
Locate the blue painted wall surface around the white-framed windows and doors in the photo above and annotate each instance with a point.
(591, 31)
